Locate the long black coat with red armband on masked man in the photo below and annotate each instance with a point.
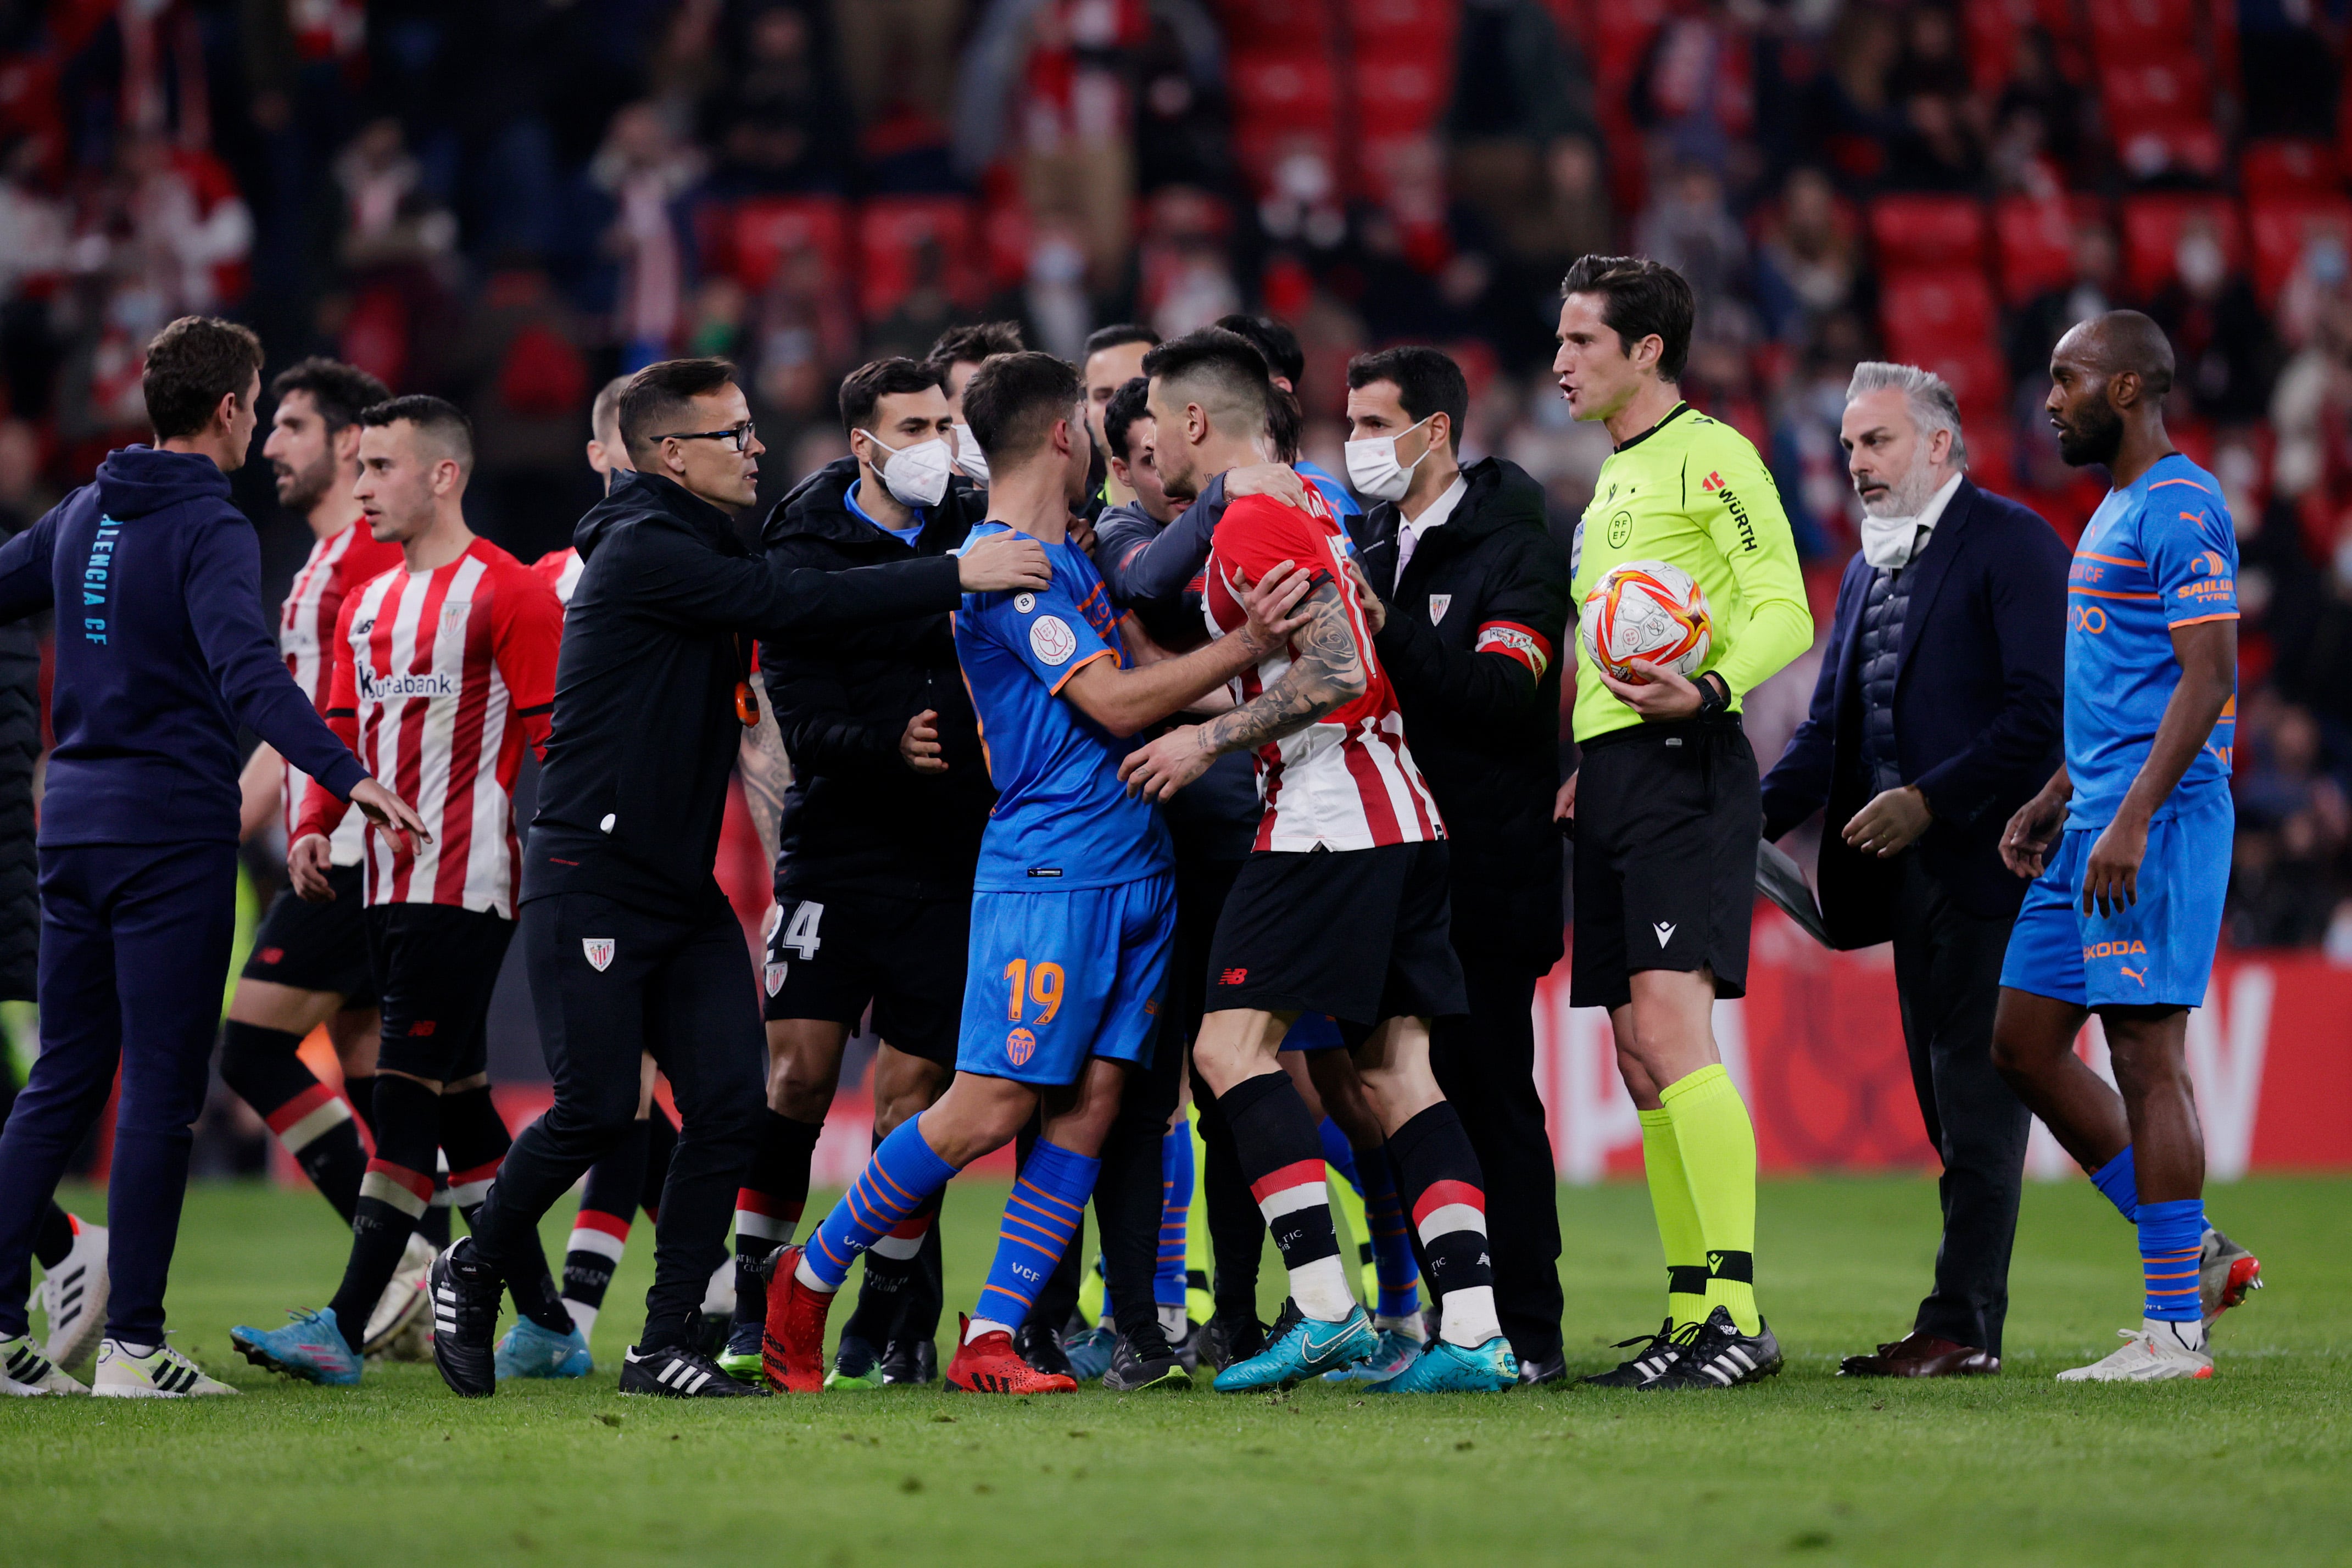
(1474, 650)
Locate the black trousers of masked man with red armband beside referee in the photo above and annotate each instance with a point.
(1485, 1066)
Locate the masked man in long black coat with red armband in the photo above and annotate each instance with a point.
(1476, 603)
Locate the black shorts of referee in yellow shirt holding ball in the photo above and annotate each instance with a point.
(1666, 859)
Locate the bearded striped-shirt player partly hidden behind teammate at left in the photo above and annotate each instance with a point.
(309, 963)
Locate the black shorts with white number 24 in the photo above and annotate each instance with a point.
(834, 956)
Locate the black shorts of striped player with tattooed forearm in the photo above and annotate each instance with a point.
(1363, 934)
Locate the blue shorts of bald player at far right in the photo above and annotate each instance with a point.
(2153, 953)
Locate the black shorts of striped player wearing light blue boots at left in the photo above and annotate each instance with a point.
(439, 967)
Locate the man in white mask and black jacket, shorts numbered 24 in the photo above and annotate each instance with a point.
(876, 857)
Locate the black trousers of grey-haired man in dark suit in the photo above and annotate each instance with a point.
(1949, 974)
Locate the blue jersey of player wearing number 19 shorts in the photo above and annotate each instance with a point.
(1064, 819)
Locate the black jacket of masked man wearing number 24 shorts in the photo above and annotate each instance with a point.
(857, 819)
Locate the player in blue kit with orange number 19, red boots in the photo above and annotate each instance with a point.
(1074, 909)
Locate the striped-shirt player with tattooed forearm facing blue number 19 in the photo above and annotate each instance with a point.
(1351, 840)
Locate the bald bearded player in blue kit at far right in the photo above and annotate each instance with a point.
(2130, 840)
